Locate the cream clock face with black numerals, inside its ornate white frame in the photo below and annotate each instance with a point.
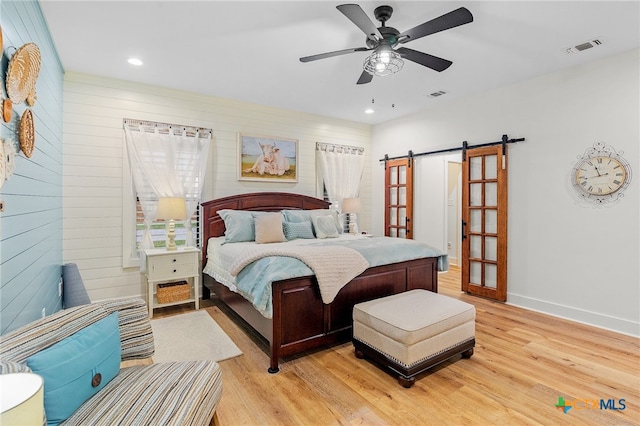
(600, 175)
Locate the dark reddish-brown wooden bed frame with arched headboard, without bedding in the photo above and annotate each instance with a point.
(301, 321)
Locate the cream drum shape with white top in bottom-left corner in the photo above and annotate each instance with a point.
(21, 399)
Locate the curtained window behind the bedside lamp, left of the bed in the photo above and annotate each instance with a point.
(167, 155)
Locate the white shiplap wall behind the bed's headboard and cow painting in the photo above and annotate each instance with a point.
(94, 108)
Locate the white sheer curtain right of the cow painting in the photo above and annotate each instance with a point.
(340, 168)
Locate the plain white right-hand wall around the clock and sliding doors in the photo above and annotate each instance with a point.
(564, 258)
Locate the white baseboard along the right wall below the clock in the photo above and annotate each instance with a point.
(607, 322)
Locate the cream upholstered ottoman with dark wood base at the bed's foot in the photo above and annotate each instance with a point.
(411, 332)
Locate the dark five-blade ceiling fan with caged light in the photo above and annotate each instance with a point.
(385, 59)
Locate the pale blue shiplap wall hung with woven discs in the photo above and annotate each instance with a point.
(31, 223)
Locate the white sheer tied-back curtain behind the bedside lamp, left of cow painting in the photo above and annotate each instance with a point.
(166, 161)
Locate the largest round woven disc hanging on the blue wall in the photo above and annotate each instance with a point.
(22, 73)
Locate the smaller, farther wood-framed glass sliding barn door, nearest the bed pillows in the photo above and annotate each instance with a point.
(398, 181)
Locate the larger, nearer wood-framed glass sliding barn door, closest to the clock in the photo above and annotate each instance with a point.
(484, 222)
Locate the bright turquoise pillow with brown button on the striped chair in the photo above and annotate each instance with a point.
(77, 367)
